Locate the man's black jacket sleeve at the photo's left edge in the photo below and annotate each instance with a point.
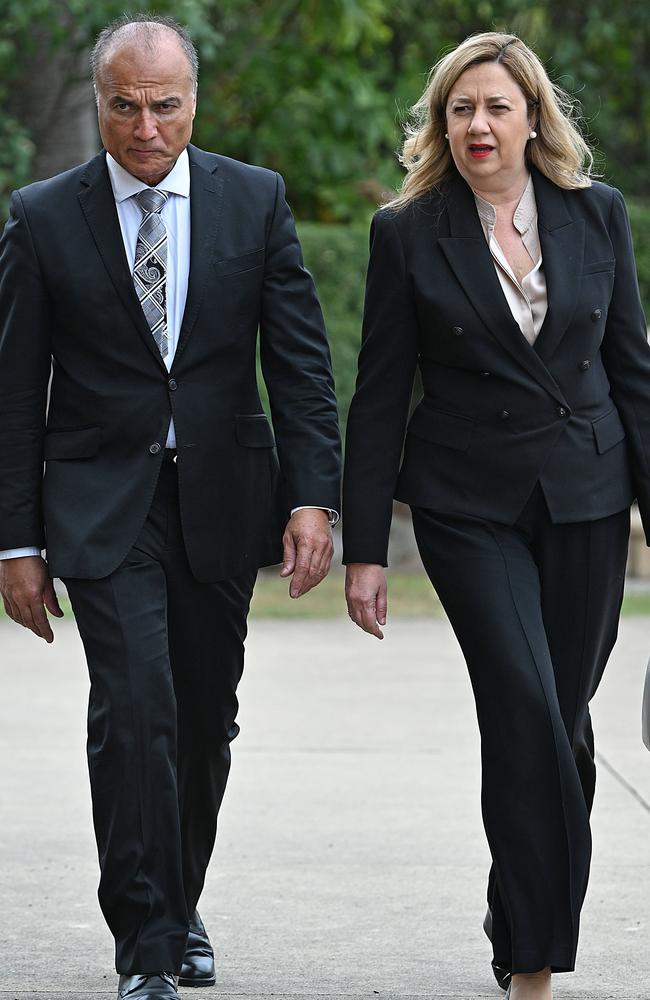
(25, 364)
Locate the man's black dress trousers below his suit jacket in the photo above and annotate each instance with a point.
(165, 654)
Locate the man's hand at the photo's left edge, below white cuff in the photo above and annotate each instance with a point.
(27, 590)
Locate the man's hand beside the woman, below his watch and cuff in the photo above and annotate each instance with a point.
(308, 549)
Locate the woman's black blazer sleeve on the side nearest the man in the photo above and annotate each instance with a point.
(380, 406)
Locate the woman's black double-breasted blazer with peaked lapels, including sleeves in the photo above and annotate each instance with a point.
(497, 415)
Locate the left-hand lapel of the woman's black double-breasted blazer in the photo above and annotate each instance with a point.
(469, 257)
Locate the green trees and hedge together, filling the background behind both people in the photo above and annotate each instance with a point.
(318, 89)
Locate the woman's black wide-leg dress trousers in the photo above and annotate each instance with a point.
(535, 608)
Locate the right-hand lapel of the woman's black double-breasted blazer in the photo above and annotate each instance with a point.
(562, 241)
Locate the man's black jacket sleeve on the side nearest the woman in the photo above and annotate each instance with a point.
(297, 369)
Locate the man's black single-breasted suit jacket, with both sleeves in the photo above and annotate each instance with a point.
(67, 298)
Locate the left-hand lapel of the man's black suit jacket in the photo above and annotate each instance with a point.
(98, 205)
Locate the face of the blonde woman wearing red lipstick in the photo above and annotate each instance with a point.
(488, 125)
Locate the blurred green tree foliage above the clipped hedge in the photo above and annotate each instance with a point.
(319, 90)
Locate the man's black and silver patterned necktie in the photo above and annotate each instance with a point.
(150, 269)
